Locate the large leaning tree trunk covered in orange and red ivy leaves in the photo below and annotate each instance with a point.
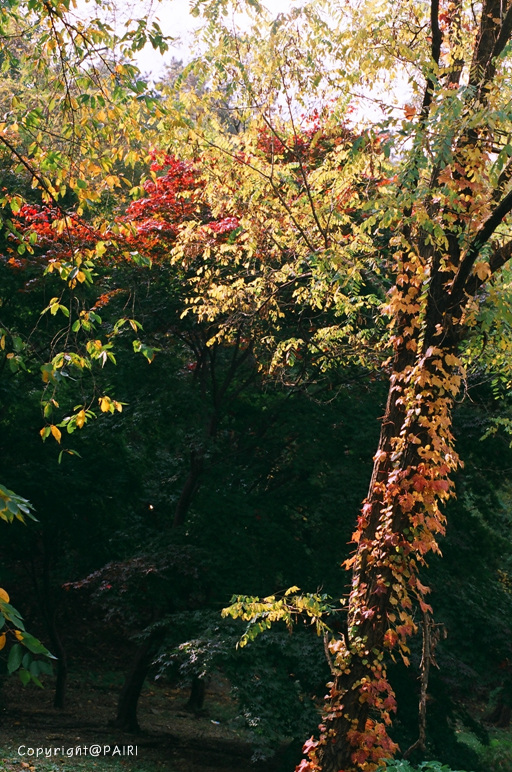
(440, 238)
